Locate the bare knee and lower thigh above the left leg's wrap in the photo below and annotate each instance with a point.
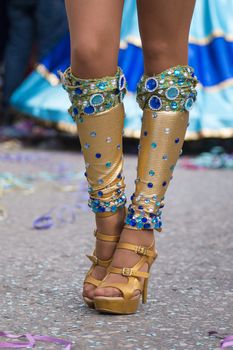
(95, 36)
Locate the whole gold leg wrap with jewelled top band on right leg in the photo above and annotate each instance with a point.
(164, 123)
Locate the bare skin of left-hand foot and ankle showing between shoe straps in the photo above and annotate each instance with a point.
(111, 225)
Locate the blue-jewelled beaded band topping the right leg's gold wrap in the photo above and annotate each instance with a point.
(172, 90)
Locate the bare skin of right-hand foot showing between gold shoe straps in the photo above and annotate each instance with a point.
(126, 258)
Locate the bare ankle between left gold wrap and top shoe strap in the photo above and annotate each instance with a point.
(111, 224)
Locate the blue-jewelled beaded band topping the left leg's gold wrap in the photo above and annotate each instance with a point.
(91, 96)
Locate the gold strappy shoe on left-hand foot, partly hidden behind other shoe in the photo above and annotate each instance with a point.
(98, 262)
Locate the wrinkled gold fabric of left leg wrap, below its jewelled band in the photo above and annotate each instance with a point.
(101, 134)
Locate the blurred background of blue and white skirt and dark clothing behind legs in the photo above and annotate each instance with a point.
(34, 46)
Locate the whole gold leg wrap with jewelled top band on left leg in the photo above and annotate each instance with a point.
(99, 112)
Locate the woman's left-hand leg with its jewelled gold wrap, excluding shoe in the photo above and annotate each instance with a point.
(92, 84)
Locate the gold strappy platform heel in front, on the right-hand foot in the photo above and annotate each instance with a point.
(127, 304)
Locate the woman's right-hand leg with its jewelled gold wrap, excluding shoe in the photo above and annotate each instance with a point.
(164, 28)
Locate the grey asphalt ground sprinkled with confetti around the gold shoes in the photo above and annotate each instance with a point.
(191, 289)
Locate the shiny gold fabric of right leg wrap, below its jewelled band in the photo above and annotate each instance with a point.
(161, 141)
